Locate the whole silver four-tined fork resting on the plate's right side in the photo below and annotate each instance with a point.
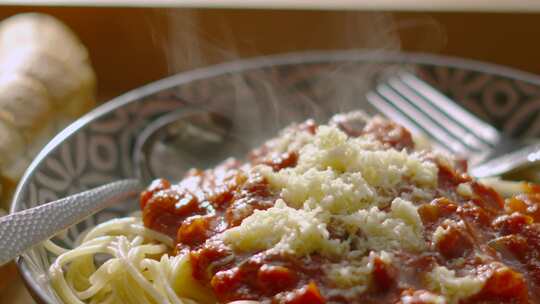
(410, 101)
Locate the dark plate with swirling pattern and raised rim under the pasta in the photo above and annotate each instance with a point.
(261, 95)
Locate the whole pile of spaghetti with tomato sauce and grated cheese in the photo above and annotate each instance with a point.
(356, 211)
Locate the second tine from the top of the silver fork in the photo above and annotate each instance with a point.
(439, 118)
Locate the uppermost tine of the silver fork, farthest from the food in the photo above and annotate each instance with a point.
(455, 112)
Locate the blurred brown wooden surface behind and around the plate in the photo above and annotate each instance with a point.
(131, 47)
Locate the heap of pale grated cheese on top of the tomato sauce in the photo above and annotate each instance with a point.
(344, 183)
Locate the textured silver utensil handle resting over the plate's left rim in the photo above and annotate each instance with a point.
(21, 230)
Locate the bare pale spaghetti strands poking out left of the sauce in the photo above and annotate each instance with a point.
(129, 275)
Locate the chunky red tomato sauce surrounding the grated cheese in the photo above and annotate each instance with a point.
(490, 239)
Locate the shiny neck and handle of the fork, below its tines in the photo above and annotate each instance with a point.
(526, 156)
